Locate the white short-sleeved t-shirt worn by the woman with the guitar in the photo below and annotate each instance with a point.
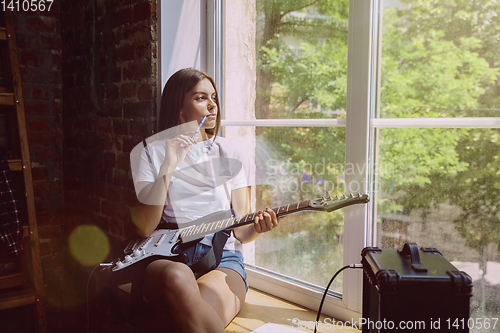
(201, 184)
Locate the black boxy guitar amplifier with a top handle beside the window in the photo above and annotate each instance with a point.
(413, 289)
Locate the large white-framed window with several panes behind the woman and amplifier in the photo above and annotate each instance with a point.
(396, 98)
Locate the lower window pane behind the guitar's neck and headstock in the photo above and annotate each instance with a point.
(301, 164)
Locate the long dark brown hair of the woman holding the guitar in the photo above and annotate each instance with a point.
(177, 86)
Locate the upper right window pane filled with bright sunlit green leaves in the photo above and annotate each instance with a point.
(440, 59)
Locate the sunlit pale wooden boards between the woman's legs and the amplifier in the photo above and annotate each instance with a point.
(261, 308)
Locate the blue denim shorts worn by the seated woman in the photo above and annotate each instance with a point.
(230, 259)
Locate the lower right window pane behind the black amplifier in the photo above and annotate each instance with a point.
(440, 188)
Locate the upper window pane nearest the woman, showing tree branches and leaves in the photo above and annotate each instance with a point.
(301, 58)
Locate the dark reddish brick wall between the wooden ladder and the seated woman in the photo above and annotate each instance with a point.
(89, 80)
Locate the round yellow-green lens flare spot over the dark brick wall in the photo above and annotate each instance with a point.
(88, 245)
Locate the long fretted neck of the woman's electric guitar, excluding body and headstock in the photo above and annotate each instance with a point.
(196, 231)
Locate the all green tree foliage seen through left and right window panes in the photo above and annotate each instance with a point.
(439, 59)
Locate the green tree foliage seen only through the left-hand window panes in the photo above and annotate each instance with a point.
(302, 72)
